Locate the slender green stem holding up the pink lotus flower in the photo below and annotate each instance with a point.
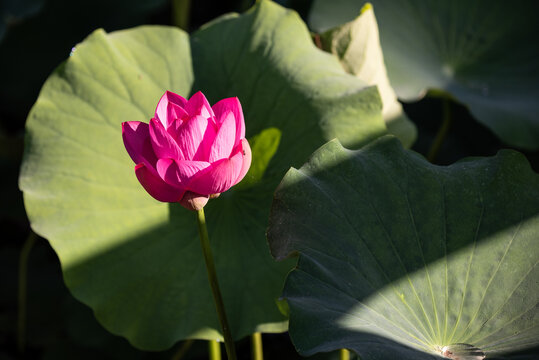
(214, 284)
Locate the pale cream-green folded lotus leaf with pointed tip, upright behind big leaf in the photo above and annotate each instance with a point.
(357, 45)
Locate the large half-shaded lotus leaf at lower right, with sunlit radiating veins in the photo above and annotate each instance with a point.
(402, 259)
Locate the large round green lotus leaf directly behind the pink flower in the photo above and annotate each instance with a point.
(137, 262)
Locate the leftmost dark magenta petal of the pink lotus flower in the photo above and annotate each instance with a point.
(136, 138)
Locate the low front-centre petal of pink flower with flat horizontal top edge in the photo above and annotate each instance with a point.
(179, 173)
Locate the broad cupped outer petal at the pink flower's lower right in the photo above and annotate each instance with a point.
(219, 177)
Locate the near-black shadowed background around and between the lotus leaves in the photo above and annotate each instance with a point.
(36, 36)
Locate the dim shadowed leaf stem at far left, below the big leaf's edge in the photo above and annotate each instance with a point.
(23, 272)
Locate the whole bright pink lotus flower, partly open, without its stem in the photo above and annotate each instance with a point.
(189, 151)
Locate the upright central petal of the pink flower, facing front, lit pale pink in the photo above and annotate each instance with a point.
(195, 137)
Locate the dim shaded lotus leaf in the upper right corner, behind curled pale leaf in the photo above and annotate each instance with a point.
(483, 53)
